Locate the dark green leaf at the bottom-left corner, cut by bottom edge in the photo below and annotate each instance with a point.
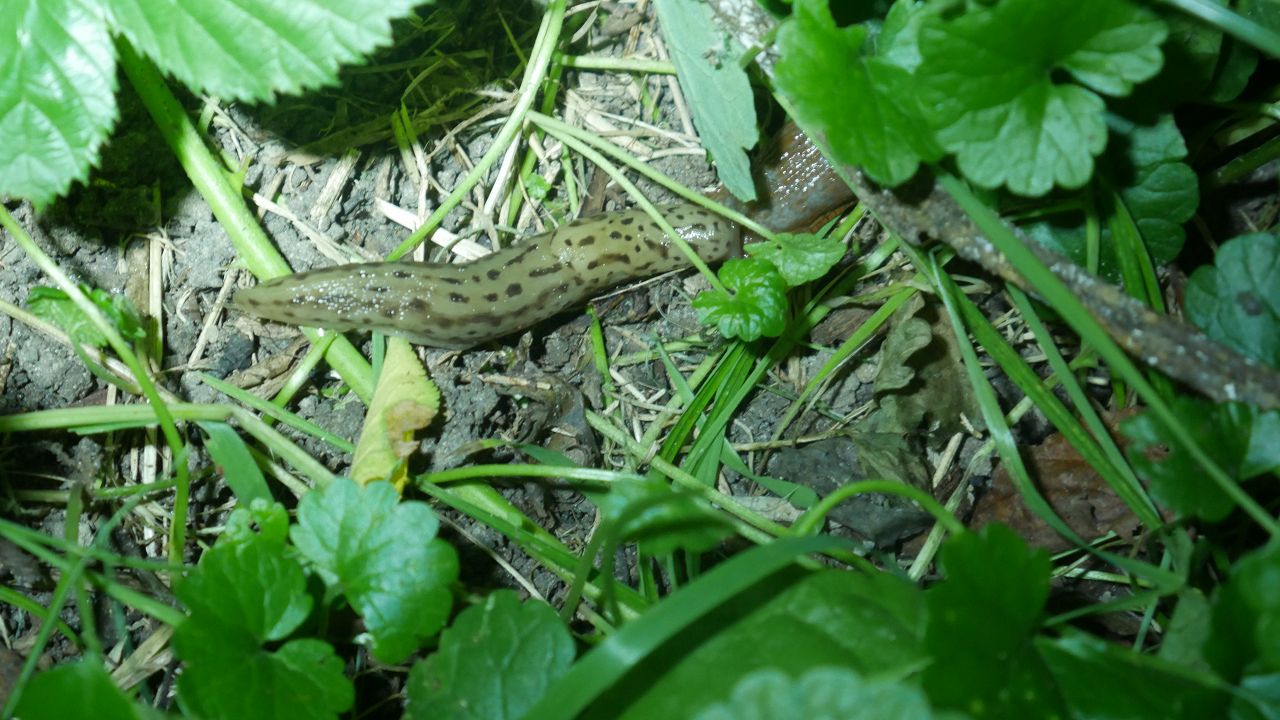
(68, 690)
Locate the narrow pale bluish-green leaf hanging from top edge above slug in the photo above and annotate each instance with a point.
(707, 62)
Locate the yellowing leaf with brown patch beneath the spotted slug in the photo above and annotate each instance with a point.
(405, 402)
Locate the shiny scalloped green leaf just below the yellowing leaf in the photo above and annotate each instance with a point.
(383, 555)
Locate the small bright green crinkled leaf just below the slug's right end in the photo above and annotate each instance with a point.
(758, 306)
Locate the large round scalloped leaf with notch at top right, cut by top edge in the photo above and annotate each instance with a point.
(989, 89)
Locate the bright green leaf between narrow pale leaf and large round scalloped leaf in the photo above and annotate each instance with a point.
(874, 120)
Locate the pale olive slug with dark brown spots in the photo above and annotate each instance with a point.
(460, 306)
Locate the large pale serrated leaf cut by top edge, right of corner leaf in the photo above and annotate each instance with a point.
(253, 52)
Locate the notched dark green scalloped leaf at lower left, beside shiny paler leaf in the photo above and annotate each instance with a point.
(244, 595)
